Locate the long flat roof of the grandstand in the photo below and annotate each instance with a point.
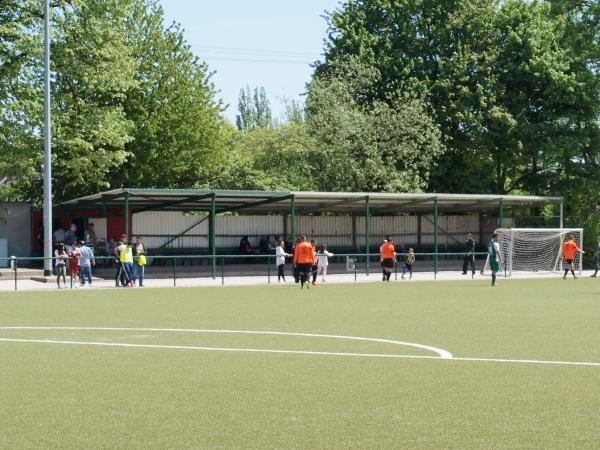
(139, 200)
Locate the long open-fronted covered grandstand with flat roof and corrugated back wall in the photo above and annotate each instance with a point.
(212, 221)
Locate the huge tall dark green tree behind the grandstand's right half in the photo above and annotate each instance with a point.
(501, 84)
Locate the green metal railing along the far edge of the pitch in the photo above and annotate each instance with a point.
(217, 264)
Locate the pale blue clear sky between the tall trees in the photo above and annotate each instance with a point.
(269, 43)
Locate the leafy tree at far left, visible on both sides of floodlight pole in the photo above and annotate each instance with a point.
(91, 73)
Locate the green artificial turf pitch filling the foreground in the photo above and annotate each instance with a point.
(68, 396)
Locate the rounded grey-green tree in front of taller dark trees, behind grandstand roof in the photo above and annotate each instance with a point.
(366, 144)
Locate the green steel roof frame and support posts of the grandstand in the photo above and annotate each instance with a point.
(215, 202)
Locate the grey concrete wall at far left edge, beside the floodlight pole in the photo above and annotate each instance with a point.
(15, 225)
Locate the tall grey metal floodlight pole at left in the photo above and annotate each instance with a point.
(47, 147)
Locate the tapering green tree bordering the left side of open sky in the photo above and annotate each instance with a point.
(172, 105)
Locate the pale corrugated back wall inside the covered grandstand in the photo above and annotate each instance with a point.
(157, 227)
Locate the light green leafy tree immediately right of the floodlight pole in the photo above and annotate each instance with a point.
(93, 71)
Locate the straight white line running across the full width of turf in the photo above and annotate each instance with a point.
(300, 352)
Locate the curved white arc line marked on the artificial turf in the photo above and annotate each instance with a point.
(441, 352)
